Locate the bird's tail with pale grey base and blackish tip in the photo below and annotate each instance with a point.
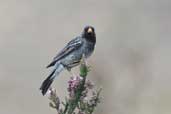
(48, 81)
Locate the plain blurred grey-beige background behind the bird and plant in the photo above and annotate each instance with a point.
(132, 59)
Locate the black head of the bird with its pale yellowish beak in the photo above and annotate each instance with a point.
(89, 34)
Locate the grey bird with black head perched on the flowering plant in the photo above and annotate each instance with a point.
(70, 56)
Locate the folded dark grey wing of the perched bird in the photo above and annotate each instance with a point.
(70, 47)
